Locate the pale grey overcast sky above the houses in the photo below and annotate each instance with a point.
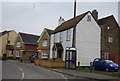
(32, 16)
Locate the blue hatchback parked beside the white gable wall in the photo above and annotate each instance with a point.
(105, 64)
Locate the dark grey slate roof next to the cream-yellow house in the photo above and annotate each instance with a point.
(29, 38)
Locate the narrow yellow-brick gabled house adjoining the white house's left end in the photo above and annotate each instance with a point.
(44, 44)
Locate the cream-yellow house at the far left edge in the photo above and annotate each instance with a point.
(7, 39)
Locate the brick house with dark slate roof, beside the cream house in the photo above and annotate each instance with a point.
(25, 46)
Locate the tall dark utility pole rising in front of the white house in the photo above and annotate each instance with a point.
(74, 28)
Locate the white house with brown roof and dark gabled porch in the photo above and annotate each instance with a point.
(87, 39)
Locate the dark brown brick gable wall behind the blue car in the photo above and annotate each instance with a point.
(114, 46)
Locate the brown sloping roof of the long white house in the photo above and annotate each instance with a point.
(70, 23)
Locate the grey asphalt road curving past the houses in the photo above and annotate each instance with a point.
(13, 71)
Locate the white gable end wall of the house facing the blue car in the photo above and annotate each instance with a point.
(87, 41)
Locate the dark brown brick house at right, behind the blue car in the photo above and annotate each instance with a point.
(110, 38)
